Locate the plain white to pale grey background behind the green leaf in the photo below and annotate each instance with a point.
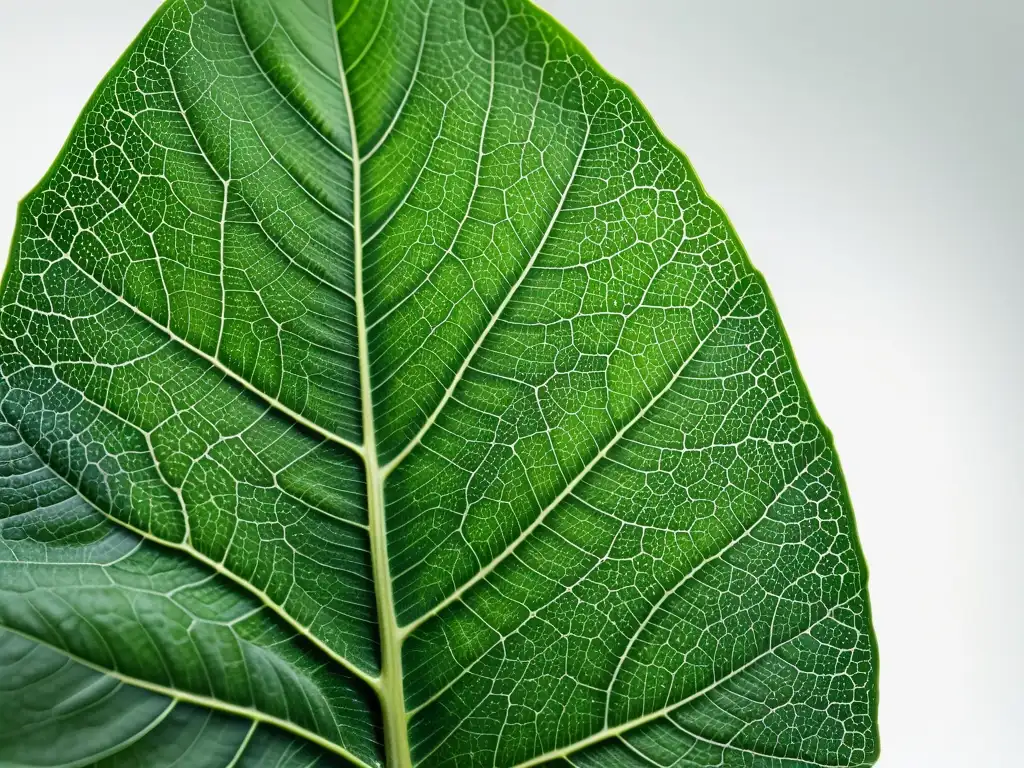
(871, 157)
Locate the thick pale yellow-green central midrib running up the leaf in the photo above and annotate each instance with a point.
(391, 690)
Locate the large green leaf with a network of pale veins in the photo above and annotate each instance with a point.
(380, 388)
